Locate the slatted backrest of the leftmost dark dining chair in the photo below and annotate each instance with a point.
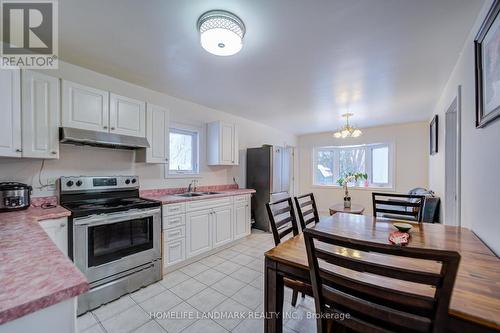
(282, 219)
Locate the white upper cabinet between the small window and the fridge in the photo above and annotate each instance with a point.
(222, 143)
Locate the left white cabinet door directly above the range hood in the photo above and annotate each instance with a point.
(84, 107)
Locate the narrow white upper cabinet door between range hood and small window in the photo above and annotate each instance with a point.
(157, 125)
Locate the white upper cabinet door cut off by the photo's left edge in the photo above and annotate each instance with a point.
(10, 113)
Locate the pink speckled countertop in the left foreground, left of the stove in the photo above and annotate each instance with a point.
(34, 274)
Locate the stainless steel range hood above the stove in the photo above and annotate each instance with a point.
(80, 137)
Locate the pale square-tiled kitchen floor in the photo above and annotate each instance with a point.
(230, 281)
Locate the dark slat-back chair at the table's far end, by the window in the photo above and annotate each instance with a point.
(398, 206)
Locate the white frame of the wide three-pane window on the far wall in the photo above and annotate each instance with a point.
(368, 166)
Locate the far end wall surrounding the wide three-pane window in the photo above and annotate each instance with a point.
(411, 159)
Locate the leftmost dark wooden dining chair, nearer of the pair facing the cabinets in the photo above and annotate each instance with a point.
(284, 224)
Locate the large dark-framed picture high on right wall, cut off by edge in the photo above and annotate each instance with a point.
(487, 51)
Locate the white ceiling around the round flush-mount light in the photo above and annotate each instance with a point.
(303, 63)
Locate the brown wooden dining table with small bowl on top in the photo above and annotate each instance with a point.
(475, 302)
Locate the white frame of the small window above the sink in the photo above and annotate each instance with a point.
(186, 130)
